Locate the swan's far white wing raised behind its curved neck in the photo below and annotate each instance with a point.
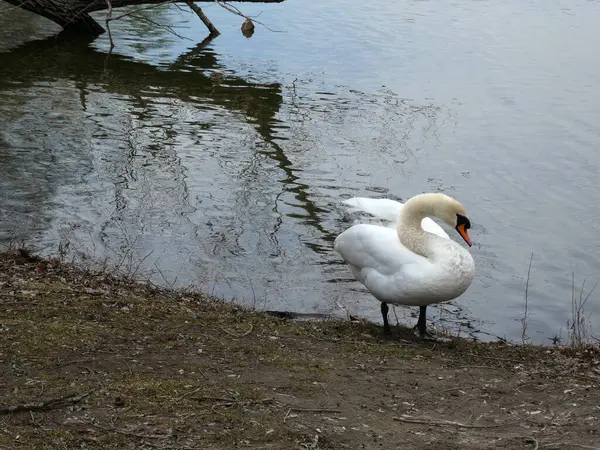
(388, 210)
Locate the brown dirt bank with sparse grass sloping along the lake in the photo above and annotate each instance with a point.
(91, 361)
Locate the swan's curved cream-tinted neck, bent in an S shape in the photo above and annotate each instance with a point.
(410, 232)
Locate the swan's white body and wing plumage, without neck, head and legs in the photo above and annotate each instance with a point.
(396, 274)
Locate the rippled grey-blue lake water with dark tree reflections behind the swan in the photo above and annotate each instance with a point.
(222, 164)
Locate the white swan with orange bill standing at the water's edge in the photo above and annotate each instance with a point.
(409, 260)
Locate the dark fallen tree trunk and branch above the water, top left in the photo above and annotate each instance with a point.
(73, 15)
